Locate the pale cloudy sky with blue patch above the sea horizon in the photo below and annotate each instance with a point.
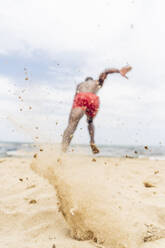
(47, 47)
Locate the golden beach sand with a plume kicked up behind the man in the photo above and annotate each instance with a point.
(76, 201)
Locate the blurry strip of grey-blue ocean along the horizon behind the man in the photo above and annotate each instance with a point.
(16, 149)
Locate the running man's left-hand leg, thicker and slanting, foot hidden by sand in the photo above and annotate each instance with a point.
(75, 115)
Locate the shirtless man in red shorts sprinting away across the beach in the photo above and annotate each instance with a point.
(87, 102)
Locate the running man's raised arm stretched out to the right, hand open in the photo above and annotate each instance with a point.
(123, 71)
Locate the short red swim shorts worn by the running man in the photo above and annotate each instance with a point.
(88, 101)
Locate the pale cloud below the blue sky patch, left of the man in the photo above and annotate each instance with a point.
(29, 106)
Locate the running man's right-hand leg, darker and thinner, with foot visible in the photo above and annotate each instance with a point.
(91, 130)
